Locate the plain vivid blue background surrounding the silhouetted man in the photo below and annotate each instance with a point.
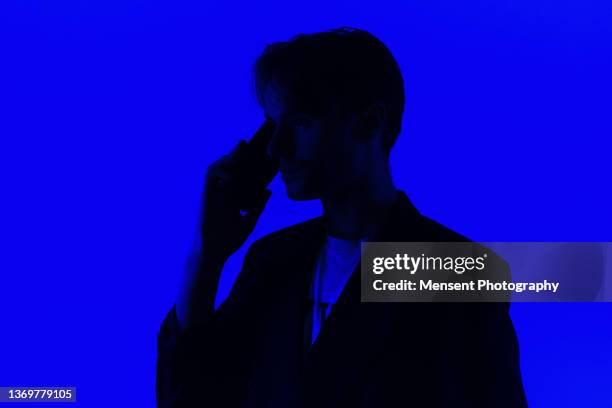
(111, 111)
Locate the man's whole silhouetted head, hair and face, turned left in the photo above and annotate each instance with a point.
(337, 99)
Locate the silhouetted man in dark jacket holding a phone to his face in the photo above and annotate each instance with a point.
(293, 332)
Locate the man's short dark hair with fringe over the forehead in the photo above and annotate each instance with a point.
(346, 66)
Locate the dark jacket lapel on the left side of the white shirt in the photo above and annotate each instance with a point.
(277, 379)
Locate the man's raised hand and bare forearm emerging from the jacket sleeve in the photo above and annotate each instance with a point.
(224, 227)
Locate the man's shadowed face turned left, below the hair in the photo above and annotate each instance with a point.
(315, 152)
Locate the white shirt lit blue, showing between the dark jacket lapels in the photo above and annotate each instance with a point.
(335, 265)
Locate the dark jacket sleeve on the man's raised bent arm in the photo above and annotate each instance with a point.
(210, 364)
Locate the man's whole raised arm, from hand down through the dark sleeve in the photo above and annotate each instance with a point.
(203, 355)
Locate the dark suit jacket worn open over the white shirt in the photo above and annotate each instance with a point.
(253, 352)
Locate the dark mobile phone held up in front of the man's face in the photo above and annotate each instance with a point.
(258, 168)
